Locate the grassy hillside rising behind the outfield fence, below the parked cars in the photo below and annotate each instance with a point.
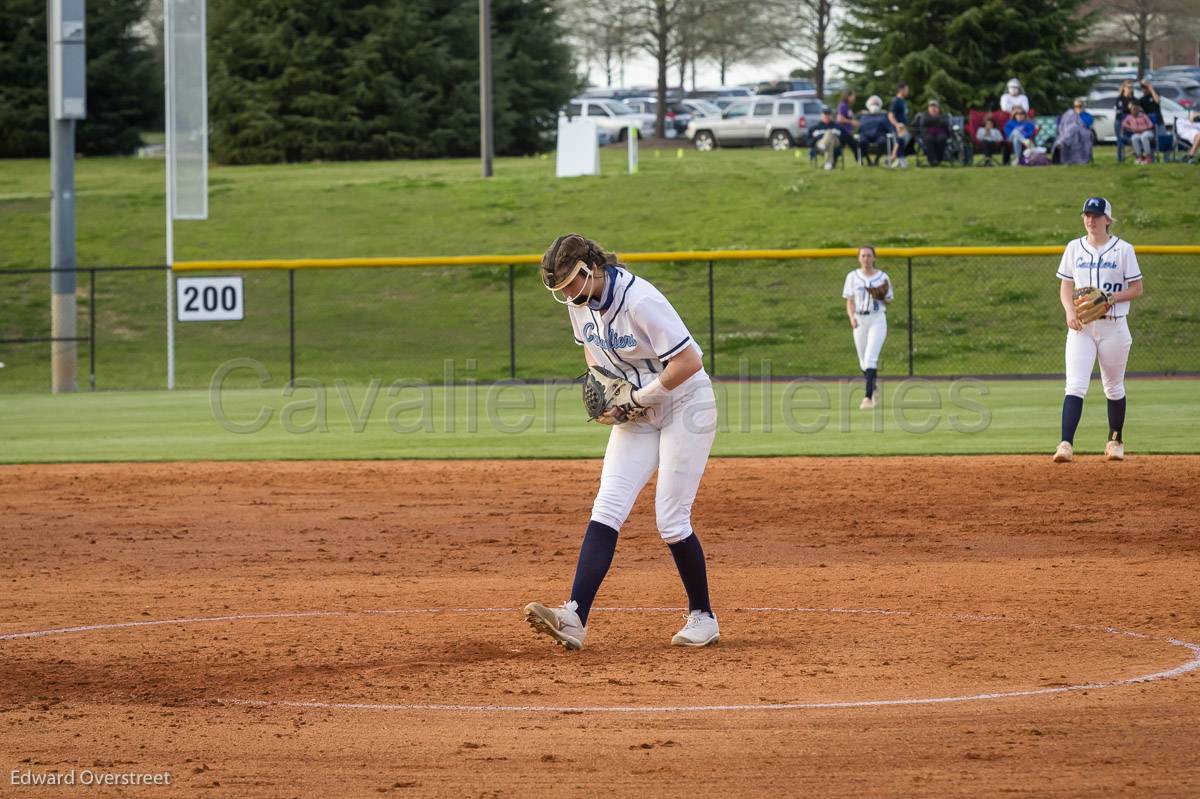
(994, 316)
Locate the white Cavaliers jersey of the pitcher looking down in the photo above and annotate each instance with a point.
(633, 331)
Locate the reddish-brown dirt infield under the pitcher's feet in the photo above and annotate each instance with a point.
(1041, 548)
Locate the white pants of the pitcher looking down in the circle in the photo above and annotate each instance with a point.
(676, 440)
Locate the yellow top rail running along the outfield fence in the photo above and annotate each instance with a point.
(649, 257)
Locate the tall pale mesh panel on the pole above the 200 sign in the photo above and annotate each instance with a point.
(188, 110)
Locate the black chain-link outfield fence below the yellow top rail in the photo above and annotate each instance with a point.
(952, 316)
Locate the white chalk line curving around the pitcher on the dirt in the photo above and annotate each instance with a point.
(1178, 671)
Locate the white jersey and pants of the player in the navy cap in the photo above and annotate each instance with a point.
(1111, 268)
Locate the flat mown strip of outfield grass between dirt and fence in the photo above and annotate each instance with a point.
(545, 422)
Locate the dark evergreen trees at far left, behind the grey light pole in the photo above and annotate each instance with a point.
(124, 83)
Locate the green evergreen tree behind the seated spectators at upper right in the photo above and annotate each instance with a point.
(964, 52)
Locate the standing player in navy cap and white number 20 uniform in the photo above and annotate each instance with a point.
(1109, 263)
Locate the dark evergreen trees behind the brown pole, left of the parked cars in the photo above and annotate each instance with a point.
(341, 80)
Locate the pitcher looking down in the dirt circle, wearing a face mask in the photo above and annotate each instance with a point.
(628, 327)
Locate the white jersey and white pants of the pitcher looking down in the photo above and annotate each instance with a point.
(633, 331)
